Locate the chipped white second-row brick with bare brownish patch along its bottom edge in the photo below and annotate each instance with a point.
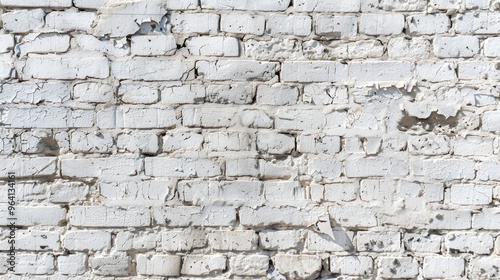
(336, 26)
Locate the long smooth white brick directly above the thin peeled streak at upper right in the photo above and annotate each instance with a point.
(393, 71)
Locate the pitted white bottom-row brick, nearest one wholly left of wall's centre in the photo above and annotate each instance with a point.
(203, 264)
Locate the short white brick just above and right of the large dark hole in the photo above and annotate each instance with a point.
(435, 71)
